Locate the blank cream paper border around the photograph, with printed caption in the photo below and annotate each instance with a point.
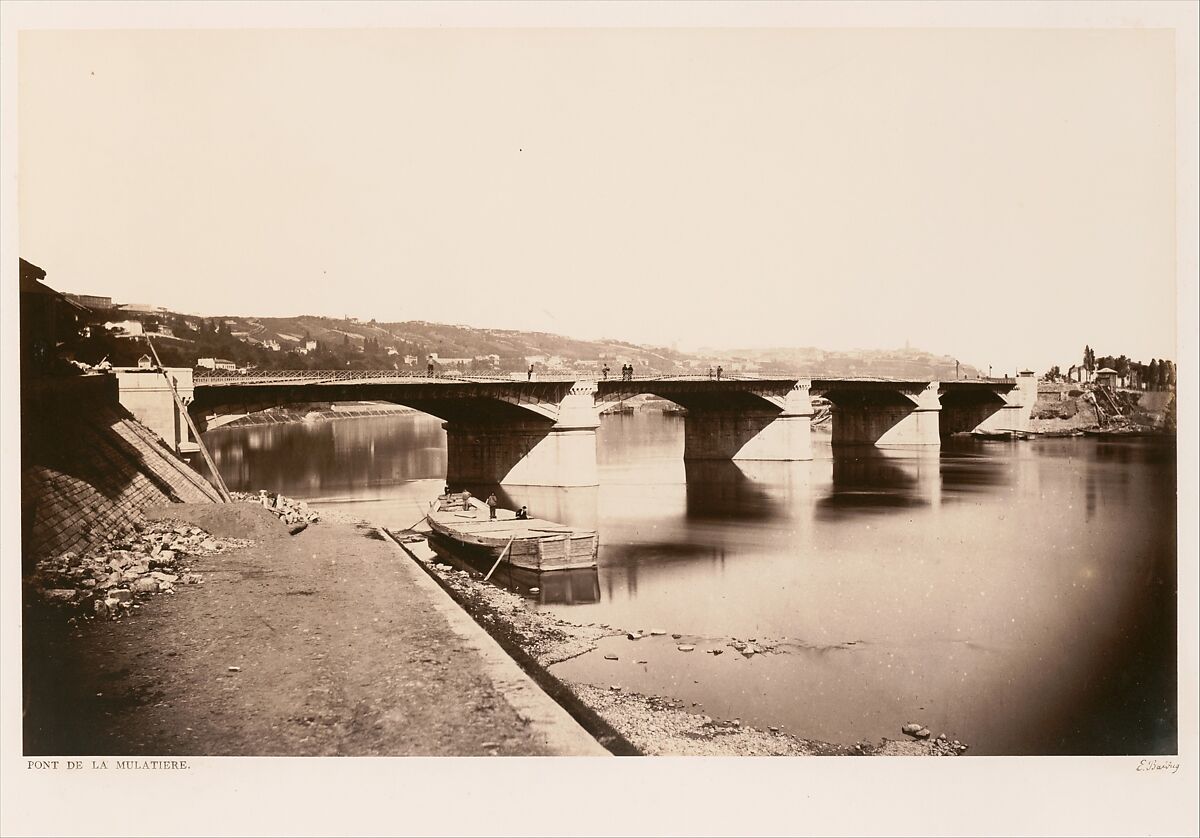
(536, 797)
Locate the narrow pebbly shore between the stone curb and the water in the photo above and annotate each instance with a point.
(655, 725)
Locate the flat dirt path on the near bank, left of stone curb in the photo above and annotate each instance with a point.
(319, 644)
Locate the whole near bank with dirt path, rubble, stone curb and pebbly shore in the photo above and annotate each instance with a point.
(332, 642)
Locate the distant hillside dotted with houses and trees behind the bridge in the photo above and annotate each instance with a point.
(329, 343)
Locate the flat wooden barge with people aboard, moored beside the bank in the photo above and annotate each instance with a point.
(535, 544)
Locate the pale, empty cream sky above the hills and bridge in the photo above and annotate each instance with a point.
(1004, 196)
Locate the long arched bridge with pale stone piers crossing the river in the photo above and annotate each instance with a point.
(543, 432)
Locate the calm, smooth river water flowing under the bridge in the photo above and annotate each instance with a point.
(1021, 597)
